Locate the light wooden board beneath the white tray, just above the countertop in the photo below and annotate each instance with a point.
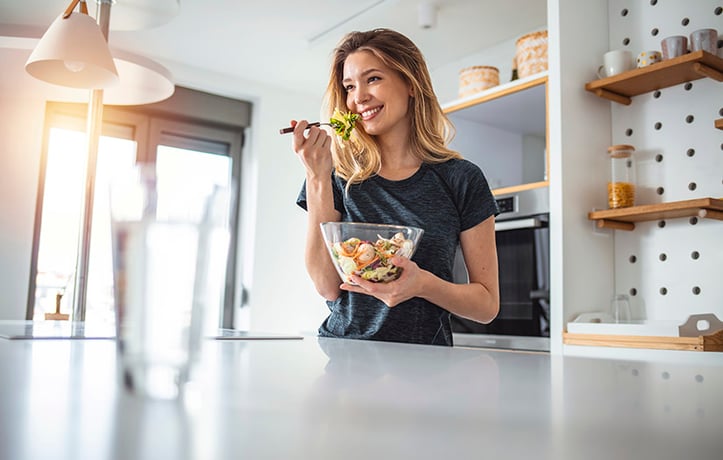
(713, 342)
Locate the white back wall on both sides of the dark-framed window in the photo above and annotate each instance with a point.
(281, 298)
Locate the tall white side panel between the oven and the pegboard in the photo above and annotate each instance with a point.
(580, 258)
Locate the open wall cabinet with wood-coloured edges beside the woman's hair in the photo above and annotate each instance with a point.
(504, 131)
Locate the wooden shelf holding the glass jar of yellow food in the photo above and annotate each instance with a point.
(624, 218)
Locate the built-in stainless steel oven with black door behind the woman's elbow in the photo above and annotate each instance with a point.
(523, 253)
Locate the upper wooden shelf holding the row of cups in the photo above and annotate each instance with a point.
(692, 66)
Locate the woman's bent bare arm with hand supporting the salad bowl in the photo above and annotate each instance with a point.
(479, 300)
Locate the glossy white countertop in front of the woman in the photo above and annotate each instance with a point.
(343, 399)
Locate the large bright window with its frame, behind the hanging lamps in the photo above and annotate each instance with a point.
(204, 149)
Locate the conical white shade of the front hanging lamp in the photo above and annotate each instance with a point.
(74, 53)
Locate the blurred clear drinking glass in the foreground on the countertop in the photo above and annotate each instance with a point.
(170, 242)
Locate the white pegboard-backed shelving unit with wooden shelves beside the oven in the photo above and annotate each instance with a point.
(670, 265)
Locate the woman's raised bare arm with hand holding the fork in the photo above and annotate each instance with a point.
(315, 153)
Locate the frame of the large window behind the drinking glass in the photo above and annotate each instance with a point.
(149, 127)
